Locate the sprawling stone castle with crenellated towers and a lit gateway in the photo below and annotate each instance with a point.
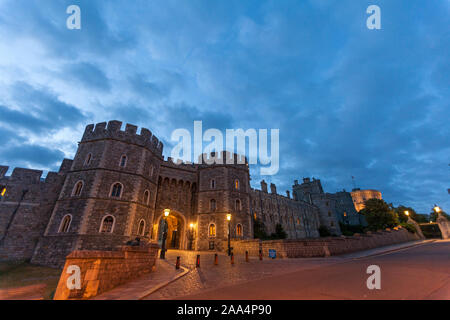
(119, 184)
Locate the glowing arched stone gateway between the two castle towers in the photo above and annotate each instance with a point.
(176, 230)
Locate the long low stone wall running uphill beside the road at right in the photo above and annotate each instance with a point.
(324, 246)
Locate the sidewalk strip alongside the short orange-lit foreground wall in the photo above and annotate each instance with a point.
(137, 289)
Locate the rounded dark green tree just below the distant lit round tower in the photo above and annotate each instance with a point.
(379, 214)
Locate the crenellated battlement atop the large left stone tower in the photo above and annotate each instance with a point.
(111, 130)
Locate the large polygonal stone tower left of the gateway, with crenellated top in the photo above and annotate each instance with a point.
(109, 193)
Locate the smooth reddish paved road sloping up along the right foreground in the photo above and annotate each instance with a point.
(421, 272)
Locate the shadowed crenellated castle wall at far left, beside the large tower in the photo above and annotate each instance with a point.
(26, 208)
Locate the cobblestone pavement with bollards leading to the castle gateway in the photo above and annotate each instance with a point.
(210, 276)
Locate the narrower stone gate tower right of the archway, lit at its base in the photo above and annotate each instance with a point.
(223, 189)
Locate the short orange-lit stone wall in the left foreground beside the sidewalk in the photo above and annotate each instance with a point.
(103, 270)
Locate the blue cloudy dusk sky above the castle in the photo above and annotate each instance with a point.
(348, 101)
